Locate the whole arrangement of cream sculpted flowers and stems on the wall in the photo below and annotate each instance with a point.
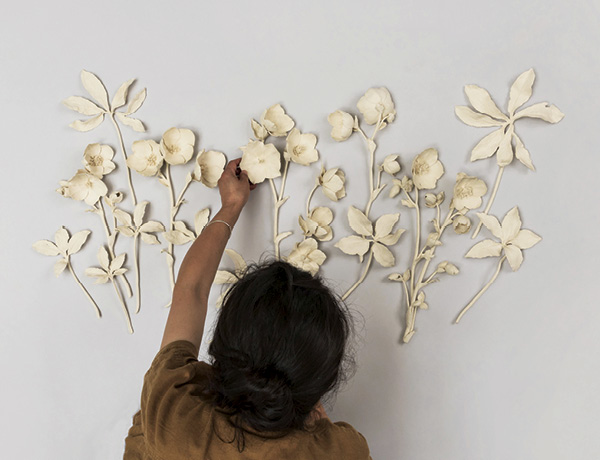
(373, 237)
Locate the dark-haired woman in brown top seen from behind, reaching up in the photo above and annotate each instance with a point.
(279, 346)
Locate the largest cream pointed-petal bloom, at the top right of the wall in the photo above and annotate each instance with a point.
(487, 114)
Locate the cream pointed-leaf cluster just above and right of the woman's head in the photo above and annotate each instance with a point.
(376, 239)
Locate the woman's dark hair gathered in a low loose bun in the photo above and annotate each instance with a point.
(280, 344)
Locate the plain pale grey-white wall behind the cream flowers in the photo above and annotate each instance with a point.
(518, 378)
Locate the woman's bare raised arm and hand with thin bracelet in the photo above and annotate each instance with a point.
(198, 269)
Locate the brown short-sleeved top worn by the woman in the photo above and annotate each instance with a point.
(176, 423)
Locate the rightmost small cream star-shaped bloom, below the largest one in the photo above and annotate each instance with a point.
(512, 239)
